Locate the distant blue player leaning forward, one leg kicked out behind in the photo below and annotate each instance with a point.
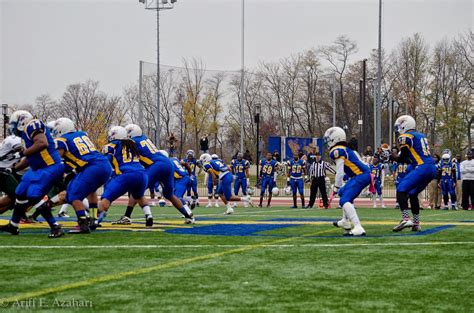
(218, 170)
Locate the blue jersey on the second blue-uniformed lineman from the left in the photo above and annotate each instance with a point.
(78, 150)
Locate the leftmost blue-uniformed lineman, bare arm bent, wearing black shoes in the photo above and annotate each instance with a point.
(45, 169)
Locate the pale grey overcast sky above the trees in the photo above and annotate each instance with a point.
(46, 45)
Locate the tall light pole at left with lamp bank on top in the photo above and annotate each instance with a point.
(158, 5)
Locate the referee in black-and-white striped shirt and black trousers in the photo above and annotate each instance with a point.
(317, 174)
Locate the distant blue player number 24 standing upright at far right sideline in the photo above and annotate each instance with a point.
(447, 181)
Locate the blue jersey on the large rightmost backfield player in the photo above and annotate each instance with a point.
(418, 147)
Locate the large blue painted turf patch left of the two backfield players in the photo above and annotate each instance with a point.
(228, 229)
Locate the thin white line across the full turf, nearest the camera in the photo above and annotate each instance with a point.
(315, 245)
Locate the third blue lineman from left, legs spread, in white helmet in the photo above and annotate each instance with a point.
(129, 175)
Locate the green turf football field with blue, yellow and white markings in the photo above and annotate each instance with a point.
(275, 259)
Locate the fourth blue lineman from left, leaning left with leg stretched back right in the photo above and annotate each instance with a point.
(159, 169)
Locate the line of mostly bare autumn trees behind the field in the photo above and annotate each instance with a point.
(433, 84)
